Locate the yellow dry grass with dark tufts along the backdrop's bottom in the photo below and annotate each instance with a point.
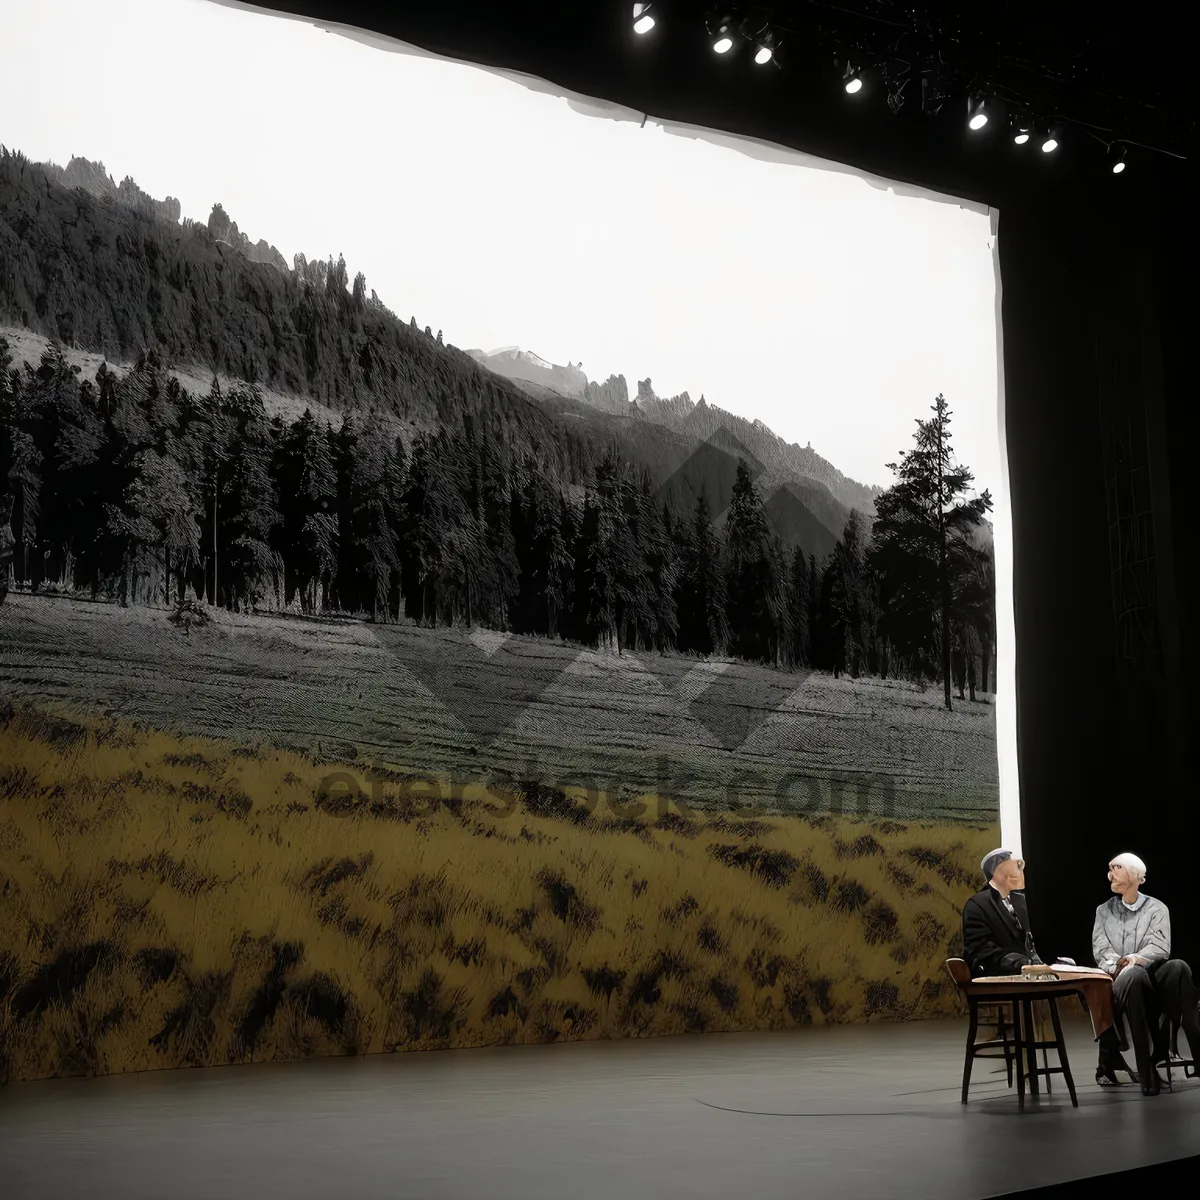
(170, 902)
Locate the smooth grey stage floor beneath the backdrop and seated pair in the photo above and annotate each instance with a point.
(861, 1112)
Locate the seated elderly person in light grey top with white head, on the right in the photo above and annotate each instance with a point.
(1132, 943)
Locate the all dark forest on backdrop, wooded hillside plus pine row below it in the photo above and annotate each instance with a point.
(135, 490)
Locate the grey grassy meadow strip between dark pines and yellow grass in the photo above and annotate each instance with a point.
(477, 705)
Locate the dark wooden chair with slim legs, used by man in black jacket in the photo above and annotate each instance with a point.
(1027, 1042)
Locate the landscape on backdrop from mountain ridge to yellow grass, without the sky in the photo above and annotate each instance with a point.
(476, 699)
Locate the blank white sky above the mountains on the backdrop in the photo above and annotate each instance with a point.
(831, 310)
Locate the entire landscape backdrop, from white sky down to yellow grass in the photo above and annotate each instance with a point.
(364, 693)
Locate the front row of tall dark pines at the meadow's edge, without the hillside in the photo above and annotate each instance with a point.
(135, 490)
